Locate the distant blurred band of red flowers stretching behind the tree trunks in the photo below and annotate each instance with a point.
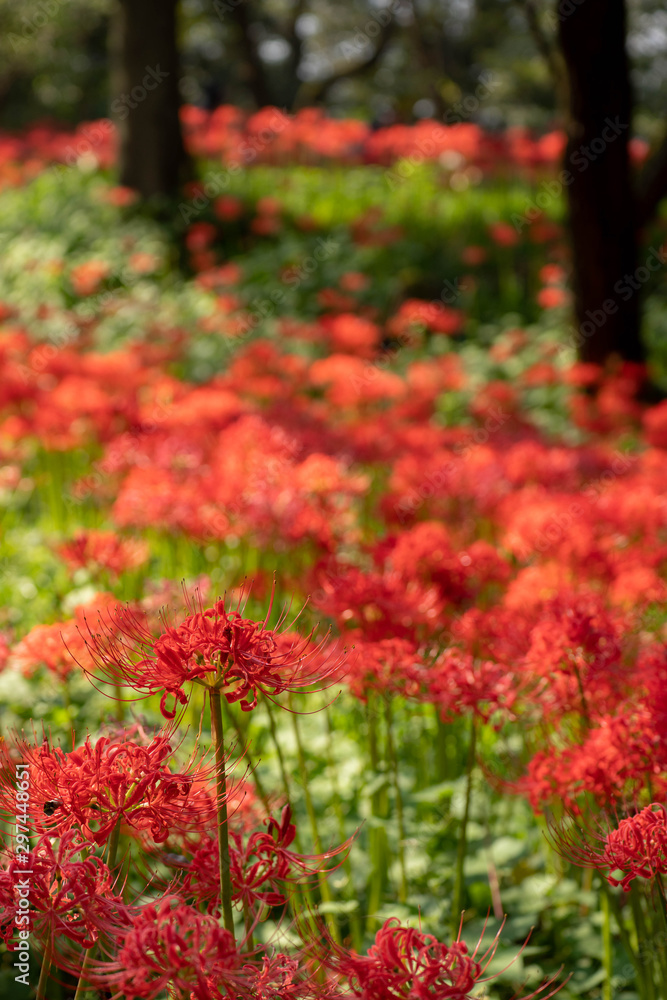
(309, 136)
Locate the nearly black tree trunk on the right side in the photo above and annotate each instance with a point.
(603, 220)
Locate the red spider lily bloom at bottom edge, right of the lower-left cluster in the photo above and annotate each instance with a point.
(406, 964)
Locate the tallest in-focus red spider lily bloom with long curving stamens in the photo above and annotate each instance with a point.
(215, 647)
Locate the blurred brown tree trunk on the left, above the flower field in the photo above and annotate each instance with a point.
(146, 100)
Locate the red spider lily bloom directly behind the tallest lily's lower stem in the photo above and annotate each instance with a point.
(261, 864)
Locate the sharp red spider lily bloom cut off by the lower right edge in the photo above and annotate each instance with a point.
(637, 847)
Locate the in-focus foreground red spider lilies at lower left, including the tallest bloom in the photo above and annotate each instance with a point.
(126, 786)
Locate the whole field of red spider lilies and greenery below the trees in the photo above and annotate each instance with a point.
(332, 586)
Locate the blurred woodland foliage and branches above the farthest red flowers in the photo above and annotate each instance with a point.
(57, 58)
